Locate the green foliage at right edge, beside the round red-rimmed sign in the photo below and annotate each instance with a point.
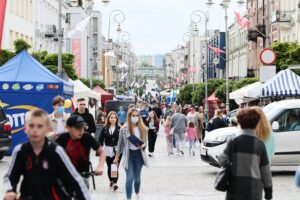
(288, 53)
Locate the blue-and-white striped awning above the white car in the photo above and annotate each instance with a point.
(285, 83)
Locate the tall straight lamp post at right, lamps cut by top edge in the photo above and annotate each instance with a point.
(225, 4)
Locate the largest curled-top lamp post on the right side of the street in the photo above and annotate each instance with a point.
(196, 18)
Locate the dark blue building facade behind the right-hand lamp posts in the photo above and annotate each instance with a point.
(216, 62)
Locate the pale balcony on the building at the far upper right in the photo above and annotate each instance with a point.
(282, 19)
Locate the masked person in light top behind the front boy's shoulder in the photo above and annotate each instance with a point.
(58, 118)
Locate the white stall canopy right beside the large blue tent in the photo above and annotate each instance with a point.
(82, 91)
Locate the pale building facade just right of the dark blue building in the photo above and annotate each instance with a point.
(238, 47)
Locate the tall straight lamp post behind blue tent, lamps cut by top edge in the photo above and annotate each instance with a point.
(60, 31)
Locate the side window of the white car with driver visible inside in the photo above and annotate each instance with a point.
(289, 120)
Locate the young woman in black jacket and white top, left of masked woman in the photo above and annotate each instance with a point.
(109, 140)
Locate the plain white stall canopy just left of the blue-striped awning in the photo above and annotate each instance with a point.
(245, 94)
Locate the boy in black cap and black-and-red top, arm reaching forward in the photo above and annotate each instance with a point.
(77, 144)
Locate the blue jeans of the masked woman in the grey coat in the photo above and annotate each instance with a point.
(133, 173)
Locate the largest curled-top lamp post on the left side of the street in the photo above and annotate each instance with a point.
(117, 16)
